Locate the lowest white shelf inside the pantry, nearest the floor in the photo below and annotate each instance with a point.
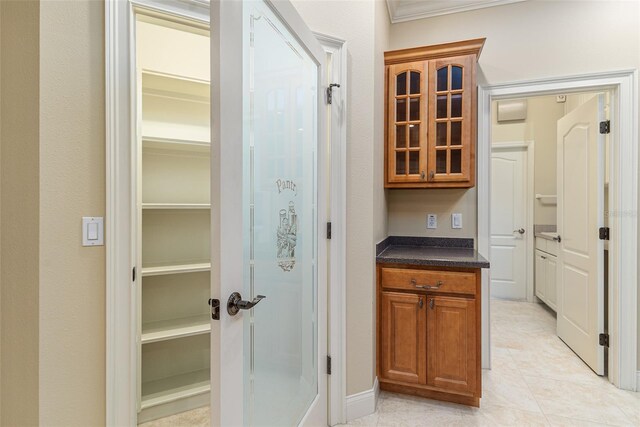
(175, 388)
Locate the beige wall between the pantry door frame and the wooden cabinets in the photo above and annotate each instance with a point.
(355, 22)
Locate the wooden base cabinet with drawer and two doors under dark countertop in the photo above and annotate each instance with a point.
(429, 332)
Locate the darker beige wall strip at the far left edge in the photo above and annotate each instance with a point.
(19, 192)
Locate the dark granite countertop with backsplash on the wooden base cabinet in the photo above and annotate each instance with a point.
(438, 252)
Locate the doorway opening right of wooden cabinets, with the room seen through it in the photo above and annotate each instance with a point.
(532, 300)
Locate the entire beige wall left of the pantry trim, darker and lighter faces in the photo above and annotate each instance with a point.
(52, 124)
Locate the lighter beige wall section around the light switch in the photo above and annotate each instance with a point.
(72, 185)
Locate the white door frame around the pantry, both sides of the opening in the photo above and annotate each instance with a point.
(120, 127)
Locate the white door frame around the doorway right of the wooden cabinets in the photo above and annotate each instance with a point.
(623, 204)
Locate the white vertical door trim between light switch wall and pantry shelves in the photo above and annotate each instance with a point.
(120, 254)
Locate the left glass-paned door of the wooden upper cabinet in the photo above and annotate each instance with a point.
(407, 104)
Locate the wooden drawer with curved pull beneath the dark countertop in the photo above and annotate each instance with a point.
(428, 280)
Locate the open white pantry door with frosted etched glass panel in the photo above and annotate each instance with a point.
(268, 202)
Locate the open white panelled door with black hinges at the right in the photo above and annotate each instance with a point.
(580, 269)
